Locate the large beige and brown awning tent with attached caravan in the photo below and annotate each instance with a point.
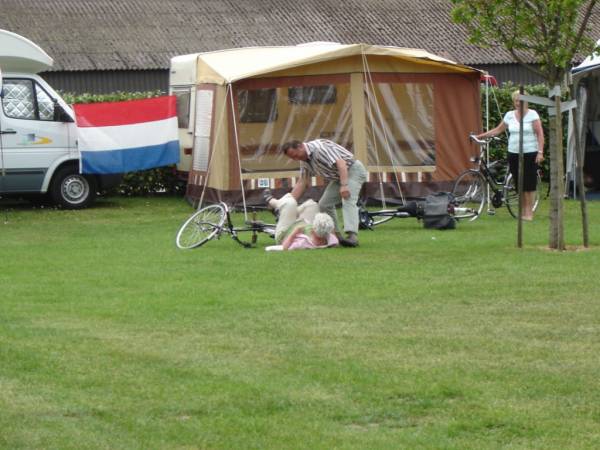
(405, 113)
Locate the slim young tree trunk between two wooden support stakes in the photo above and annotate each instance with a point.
(557, 238)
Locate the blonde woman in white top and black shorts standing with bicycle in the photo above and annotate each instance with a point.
(533, 149)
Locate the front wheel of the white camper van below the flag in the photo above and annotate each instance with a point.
(72, 190)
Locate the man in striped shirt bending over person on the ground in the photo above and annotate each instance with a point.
(344, 174)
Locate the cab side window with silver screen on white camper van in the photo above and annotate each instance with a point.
(25, 99)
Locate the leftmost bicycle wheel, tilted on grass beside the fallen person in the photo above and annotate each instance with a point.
(201, 227)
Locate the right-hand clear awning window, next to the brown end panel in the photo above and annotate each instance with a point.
(401, 128)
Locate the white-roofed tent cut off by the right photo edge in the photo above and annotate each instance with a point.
(586, 81)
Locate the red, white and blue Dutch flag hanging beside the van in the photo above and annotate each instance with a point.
(121, 137)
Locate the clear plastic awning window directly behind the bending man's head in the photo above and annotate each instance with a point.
(303, 109)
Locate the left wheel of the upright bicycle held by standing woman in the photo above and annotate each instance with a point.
(469, 194)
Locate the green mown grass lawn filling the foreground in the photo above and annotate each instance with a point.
(111, 338)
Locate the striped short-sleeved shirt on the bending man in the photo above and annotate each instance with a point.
(322, 155)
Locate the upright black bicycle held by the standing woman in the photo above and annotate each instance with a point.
(471, 187)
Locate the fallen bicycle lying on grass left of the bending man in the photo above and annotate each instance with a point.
(212, 221)
